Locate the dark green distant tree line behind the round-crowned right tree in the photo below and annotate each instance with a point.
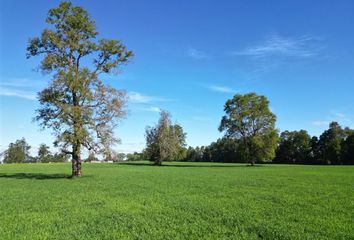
(335, 146)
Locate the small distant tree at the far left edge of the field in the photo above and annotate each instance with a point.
(17, 152)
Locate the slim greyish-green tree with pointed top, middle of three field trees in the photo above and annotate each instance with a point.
(165, 141)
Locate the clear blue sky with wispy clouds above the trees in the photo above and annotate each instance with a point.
(191, 56)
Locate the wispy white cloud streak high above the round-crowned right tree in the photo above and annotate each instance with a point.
(276, 45)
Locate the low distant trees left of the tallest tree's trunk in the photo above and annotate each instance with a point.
(18, 152)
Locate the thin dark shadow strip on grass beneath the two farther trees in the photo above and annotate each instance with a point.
(191, 165)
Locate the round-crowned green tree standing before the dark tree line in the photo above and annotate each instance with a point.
(249, 119)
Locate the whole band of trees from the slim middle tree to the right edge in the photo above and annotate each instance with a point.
(250, 136)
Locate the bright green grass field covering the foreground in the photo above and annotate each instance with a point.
(176, 201)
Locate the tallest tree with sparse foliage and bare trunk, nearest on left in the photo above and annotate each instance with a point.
(77, 105)
